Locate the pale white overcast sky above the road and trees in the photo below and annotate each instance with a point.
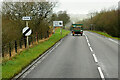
(84, 6)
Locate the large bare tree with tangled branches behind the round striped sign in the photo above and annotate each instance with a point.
(14, 11)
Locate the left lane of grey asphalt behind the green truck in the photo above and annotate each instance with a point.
(71, 59)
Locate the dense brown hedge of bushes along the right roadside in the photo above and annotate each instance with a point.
(104, 21)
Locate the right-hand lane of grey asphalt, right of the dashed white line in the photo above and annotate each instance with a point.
(106, 52)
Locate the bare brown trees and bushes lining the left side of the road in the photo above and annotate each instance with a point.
(41, 13)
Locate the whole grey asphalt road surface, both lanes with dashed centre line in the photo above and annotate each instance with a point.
(87, 56)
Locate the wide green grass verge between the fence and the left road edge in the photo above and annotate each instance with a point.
(18, 63)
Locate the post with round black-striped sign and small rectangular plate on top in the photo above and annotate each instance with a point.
(27, 31)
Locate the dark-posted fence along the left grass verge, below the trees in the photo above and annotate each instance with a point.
(15, 45)
